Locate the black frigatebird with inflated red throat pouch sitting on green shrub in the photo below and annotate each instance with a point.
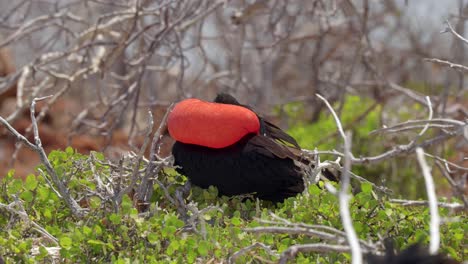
(227, 145)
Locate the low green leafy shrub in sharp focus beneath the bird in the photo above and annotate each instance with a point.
(214, 230)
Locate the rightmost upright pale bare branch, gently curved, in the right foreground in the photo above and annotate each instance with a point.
(432, 198)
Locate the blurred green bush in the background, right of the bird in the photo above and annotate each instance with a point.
(399, 173)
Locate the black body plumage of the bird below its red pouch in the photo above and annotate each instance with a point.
(239, 169)
